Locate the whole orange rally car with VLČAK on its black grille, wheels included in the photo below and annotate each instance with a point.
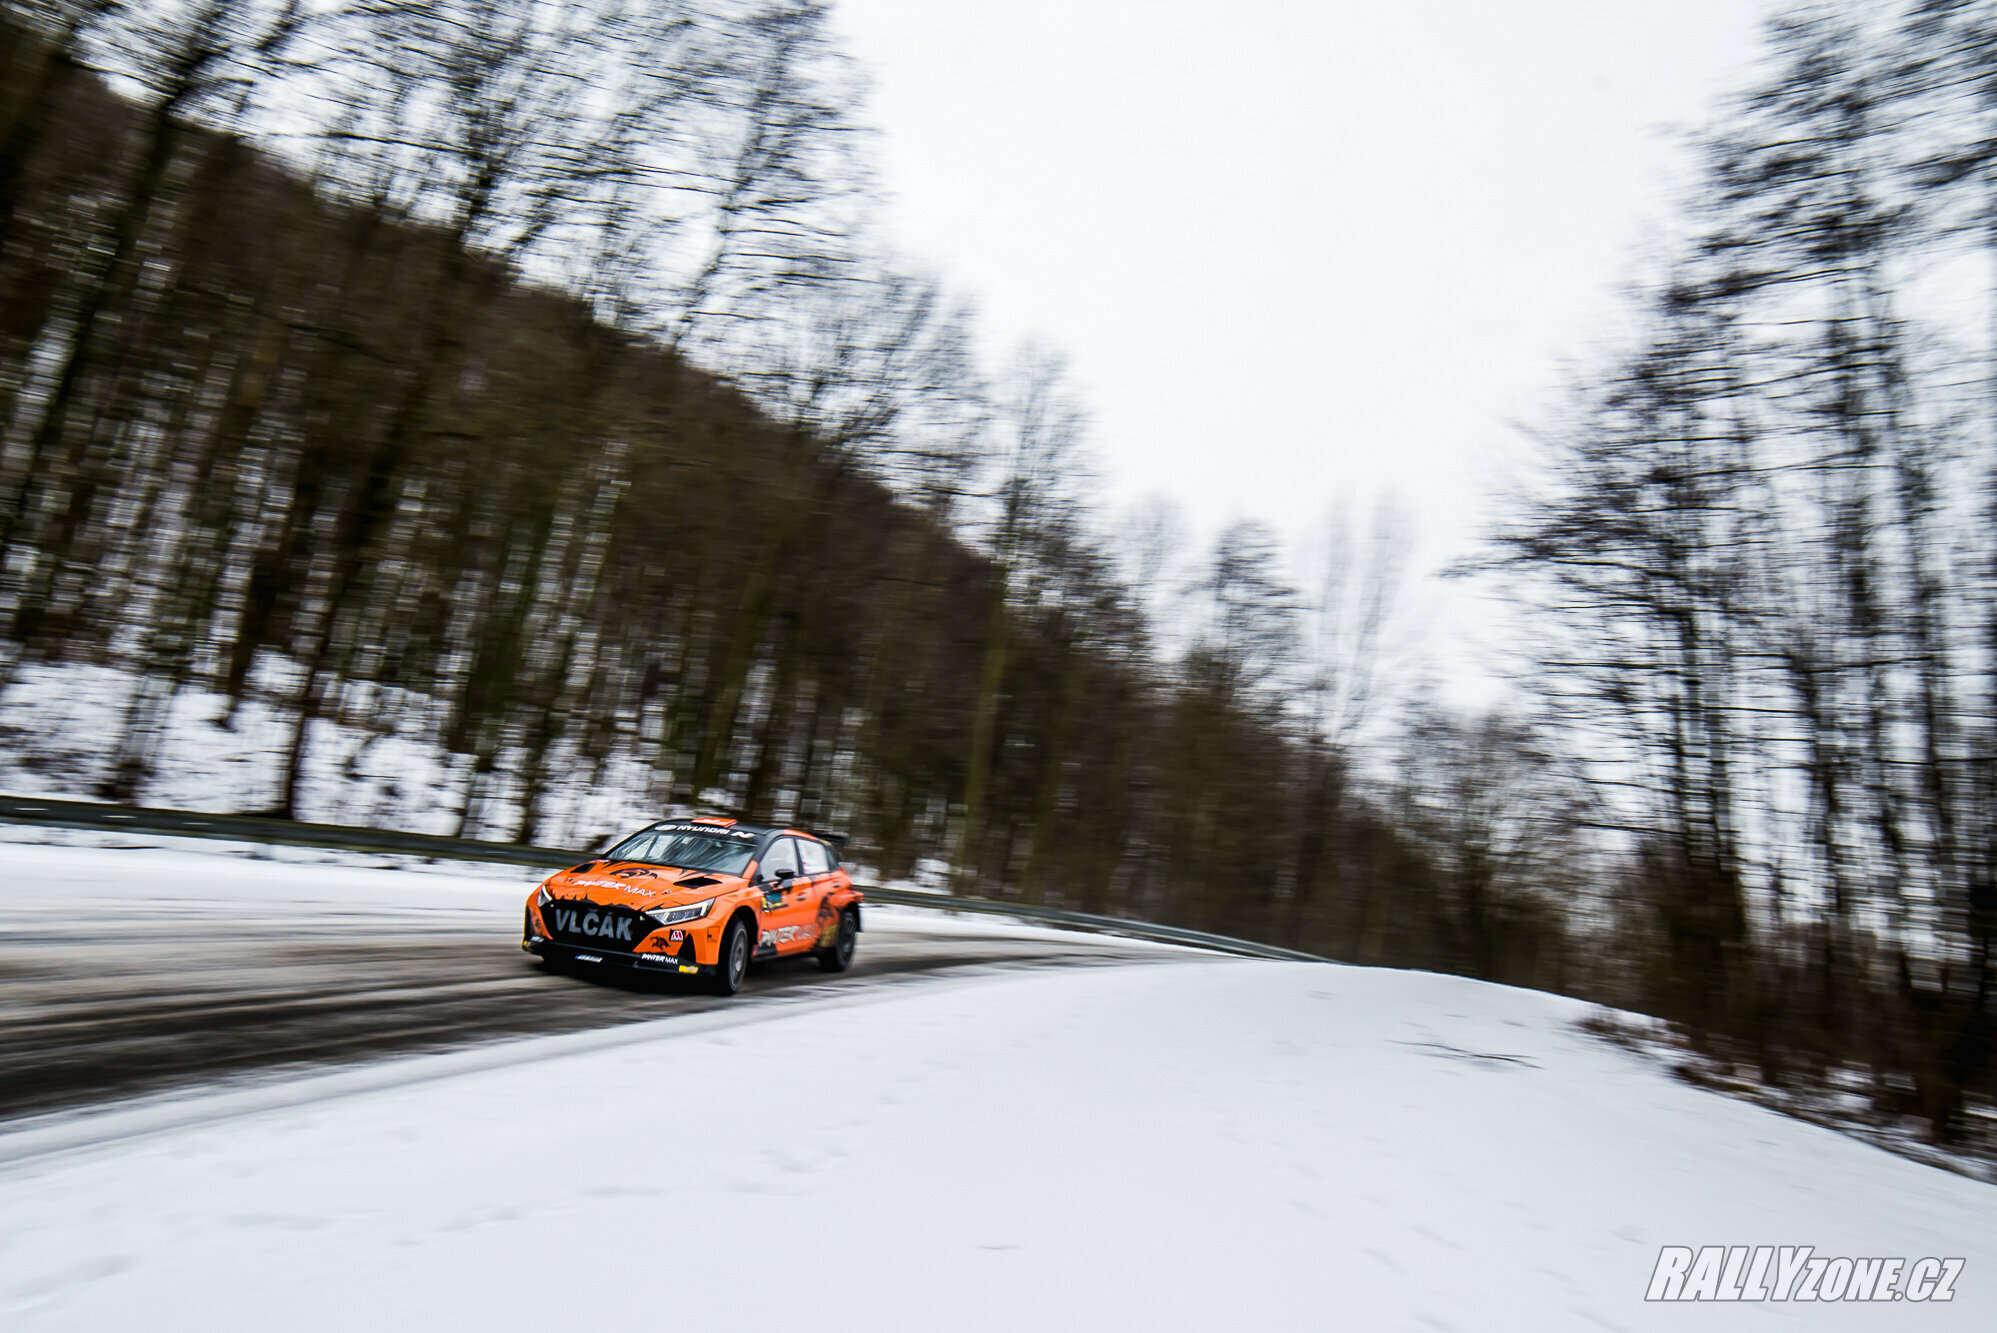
(700, 897)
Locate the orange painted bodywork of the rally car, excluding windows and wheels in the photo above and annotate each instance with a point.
(600, 909)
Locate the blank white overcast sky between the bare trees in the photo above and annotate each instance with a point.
(1295, 250)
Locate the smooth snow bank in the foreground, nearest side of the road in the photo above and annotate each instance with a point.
(1243, 1144)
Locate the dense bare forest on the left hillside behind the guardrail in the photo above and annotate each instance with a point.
(524, 374)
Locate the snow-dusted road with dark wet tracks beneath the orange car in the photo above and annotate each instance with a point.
(139, 969)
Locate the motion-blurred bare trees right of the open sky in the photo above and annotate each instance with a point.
(1766, 536)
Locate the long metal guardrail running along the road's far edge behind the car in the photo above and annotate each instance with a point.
(99, 817)
